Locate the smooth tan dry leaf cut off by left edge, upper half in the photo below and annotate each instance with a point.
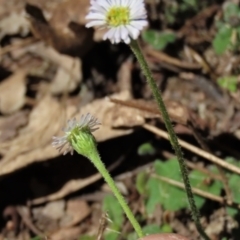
(12, 92)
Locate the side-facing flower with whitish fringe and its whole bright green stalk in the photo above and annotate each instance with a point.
(78, 136)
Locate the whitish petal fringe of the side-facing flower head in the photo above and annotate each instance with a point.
(87, 123)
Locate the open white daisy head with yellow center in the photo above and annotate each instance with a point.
(124, 18)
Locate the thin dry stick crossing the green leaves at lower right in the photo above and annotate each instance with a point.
(198, 191)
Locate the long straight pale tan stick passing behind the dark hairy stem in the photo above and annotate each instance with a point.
(196, 150)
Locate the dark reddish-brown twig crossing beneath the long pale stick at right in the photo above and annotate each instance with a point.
(204, 146)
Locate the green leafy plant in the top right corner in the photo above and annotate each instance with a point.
(228, 30)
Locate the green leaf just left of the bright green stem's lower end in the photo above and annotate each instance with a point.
(115, 212)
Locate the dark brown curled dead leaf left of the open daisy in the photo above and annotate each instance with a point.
(73, 39)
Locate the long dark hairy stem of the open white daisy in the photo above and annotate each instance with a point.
(172, 135)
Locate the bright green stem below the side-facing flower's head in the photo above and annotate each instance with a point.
(96, 160)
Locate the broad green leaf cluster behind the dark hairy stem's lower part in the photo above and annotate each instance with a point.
(160, 192)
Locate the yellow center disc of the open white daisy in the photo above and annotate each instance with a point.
(118, 16)
